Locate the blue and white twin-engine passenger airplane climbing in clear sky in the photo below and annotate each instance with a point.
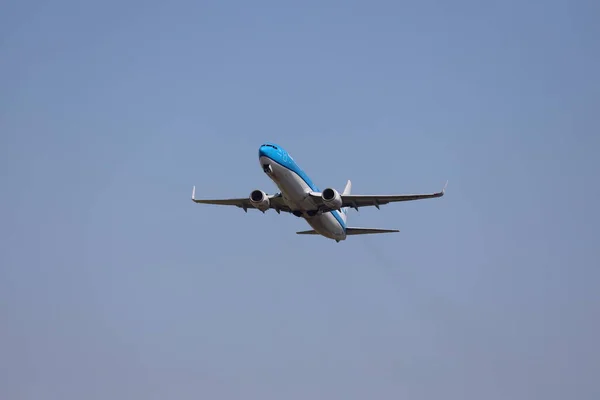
(325, 211)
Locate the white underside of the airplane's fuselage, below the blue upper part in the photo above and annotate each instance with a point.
(295, 194)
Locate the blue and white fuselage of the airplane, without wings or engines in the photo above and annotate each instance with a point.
(295, 187)
